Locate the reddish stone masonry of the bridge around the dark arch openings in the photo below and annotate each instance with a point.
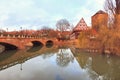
(22, 43)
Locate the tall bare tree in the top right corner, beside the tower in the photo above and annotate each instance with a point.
(112, 7)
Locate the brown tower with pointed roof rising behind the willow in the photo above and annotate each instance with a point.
(99, 19)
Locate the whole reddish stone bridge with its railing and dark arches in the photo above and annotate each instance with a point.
(21, 41)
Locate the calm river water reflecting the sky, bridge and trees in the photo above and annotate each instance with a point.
(58, 63)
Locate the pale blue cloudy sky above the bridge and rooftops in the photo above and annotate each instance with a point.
(33, 14)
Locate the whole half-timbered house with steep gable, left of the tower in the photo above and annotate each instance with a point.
(81, 26)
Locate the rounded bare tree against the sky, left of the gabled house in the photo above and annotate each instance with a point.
(62, 25)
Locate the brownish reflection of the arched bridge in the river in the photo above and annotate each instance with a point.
(21, 56)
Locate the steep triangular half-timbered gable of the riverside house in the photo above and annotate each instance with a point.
(81, 26)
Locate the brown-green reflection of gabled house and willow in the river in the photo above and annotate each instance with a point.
(99, 67)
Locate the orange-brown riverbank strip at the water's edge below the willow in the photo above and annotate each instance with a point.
(75, 45)
